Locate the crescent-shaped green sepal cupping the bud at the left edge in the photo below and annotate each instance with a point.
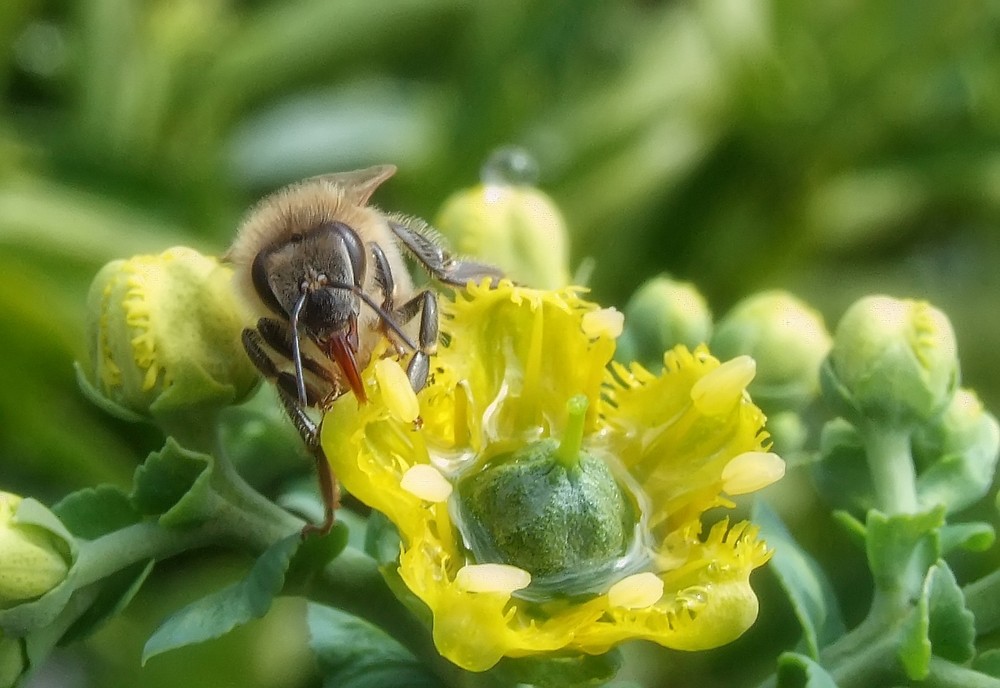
(23, 618)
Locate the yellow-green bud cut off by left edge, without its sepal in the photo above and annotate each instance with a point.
(33, 560)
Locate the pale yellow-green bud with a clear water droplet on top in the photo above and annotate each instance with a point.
(513, 226)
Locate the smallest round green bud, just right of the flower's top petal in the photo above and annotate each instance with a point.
(661, 314)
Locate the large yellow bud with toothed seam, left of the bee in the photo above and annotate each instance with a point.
(164, 337)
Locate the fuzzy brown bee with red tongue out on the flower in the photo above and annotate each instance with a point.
(325, 274)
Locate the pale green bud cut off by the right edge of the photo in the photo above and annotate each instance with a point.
(956, 455)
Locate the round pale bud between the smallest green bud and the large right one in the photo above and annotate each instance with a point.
(788, 340)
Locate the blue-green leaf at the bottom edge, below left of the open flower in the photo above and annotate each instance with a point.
(354, 654)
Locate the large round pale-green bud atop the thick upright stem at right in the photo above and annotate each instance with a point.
(892, 360)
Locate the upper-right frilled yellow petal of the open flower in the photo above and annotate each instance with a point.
(674, 443)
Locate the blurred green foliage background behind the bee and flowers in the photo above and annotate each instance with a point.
(832, 149)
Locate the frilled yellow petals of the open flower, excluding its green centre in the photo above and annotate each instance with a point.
(511, 359)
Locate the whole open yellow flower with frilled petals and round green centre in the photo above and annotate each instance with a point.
(523, 406)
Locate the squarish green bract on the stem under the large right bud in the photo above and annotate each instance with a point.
(902, 548)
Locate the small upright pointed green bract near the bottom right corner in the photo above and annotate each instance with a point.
(939, 625)
